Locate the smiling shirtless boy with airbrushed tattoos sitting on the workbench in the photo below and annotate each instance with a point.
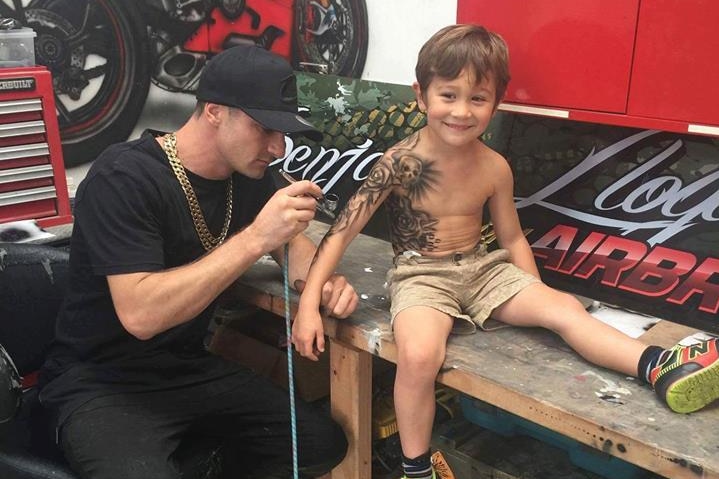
(436, 183)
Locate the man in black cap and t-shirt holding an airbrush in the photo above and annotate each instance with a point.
(163, 225)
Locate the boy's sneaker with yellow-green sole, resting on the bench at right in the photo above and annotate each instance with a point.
(687, 379)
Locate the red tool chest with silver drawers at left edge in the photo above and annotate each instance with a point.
(32, 173)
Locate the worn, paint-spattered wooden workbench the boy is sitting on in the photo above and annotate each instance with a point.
(528, 372)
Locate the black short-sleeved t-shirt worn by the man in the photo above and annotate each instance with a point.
(131, 215)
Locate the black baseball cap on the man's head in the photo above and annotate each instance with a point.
(260, 83)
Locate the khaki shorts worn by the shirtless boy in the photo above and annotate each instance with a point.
(466, 286)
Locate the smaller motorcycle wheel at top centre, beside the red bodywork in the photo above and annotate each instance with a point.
(342, 47)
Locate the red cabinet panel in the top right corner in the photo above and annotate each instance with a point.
(676, 68)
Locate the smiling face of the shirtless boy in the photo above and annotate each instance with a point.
(458, 110)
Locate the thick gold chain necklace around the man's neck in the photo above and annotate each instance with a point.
(209, 242)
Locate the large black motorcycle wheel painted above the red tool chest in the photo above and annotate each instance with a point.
(98, 54)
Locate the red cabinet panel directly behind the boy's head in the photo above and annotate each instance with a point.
(564, 53)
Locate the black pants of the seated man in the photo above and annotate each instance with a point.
(242, 432)
